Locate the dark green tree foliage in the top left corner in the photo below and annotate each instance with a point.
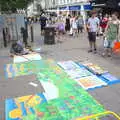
(13, 5)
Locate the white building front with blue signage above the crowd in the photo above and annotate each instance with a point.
(70, 5)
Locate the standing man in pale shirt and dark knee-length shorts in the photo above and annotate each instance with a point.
(93, 27)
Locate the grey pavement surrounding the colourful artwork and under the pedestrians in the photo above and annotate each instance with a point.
(71, 48)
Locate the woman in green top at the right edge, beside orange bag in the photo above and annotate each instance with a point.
(112, 33)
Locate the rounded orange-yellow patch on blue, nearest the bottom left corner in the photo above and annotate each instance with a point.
(17, 113)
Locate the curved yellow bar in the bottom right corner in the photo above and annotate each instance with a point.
(97, 116)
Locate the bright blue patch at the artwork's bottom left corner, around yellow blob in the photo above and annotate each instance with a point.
(9, 106)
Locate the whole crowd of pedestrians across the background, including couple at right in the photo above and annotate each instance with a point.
(106, 25)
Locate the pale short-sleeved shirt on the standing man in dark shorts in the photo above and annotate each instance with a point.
(93, 24)
